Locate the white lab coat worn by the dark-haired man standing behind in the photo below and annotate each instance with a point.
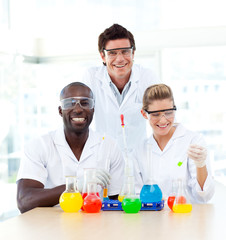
(107, 110)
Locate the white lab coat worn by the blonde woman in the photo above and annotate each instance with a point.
(165, 167)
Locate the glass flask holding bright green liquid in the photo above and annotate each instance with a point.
(131, 202)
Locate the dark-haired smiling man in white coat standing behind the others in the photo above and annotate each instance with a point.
(118, 86)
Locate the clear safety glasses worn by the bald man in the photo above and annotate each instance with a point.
(69, 103)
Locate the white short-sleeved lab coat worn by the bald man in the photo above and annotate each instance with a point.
(49, 159)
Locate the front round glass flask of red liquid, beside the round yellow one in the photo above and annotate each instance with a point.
(92, 203)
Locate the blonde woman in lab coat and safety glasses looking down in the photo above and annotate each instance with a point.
(172, 143)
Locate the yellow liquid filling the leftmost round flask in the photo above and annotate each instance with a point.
(71, 202)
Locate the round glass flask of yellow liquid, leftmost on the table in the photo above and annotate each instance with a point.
(71, 199)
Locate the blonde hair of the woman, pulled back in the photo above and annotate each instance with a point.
(156, 92)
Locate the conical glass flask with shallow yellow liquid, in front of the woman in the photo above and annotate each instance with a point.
(182, 203)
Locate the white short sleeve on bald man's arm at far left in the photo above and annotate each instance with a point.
(33, 162)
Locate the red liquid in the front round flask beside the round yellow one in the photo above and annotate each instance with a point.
(92, 203)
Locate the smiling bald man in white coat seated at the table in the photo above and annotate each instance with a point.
(66, 152)
